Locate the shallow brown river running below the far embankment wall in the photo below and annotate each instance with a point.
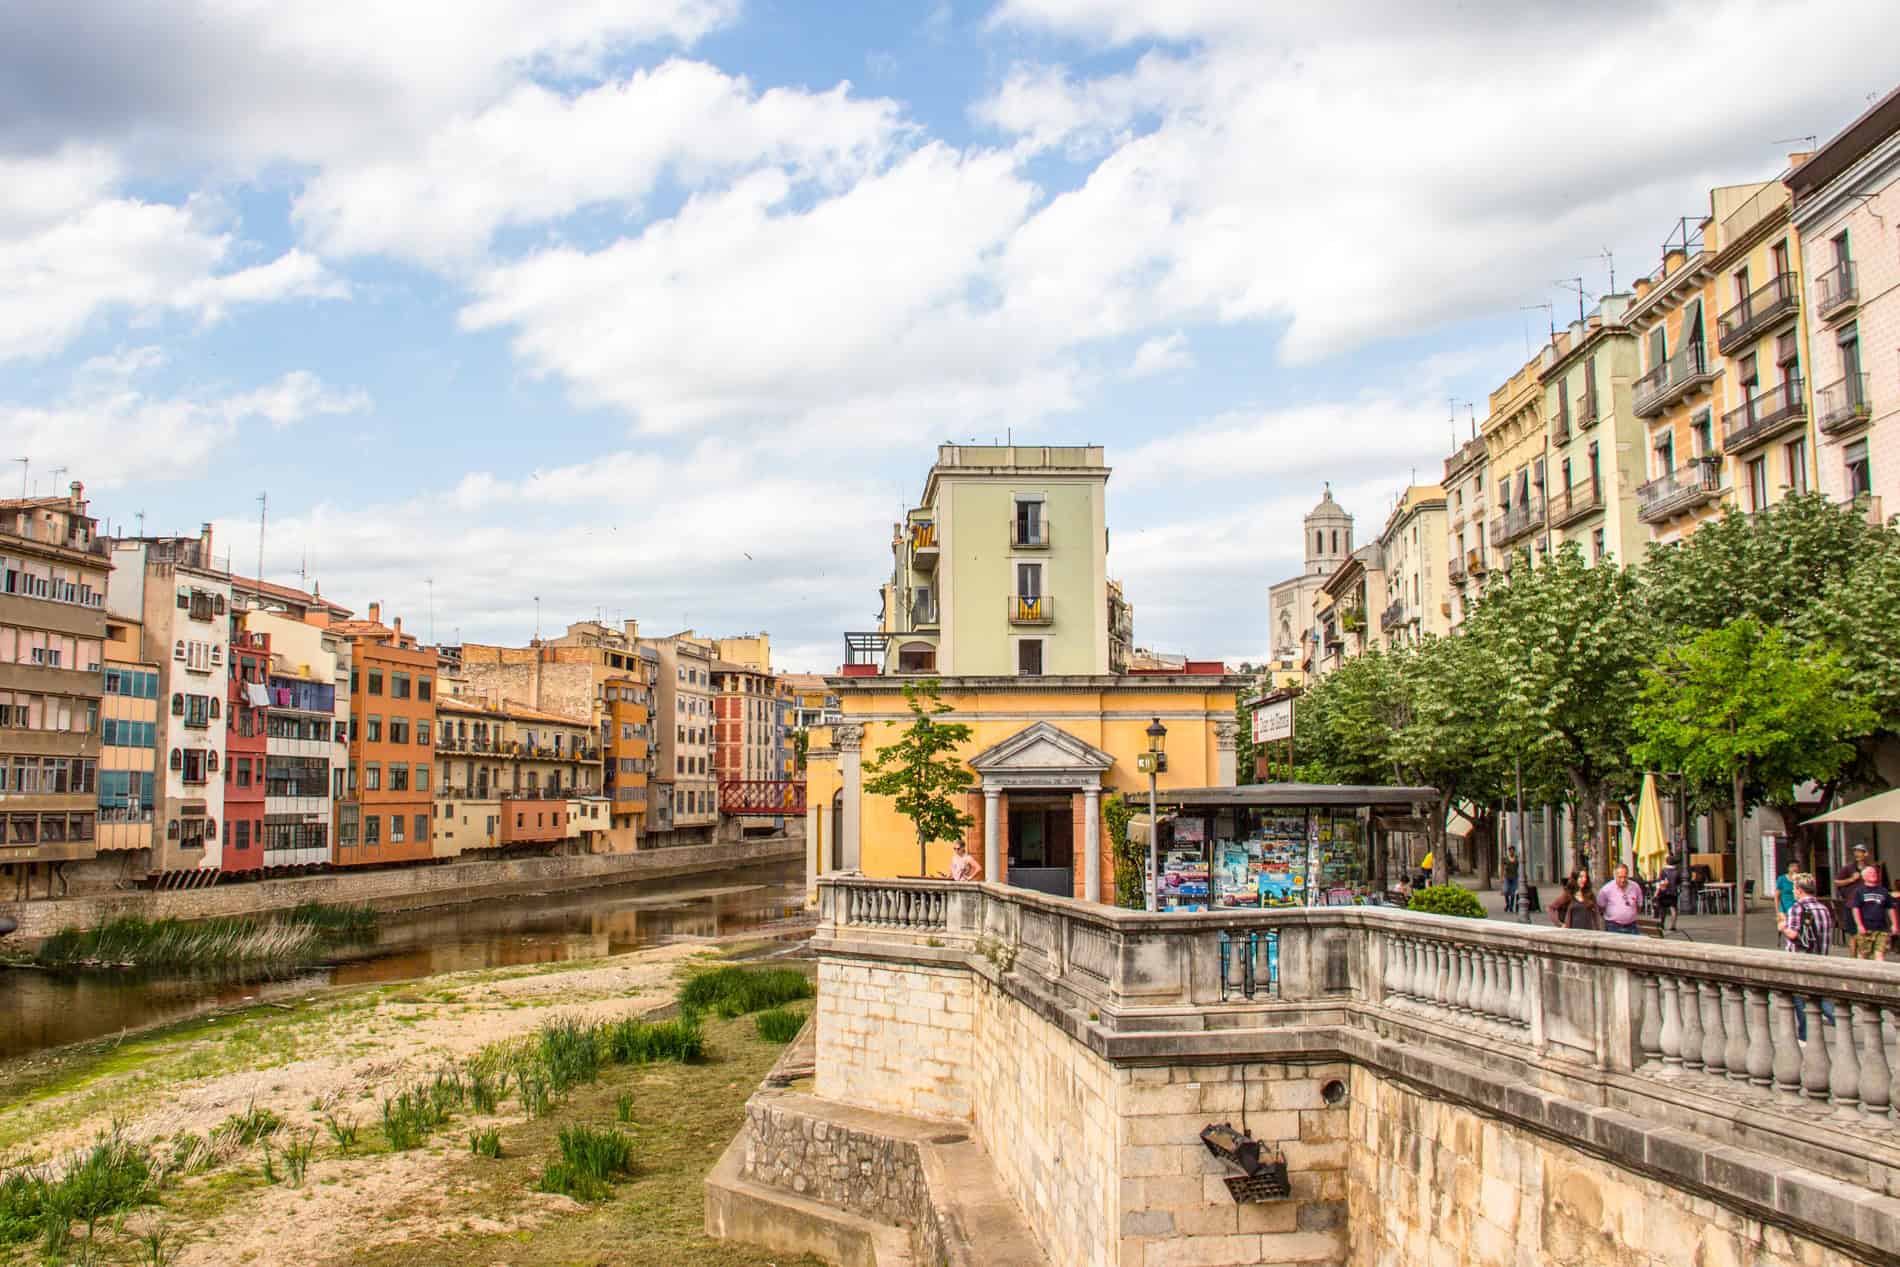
(52, 1010)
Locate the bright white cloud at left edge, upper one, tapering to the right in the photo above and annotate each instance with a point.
(73, 248)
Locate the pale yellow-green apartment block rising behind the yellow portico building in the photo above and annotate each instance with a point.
(1002, 569)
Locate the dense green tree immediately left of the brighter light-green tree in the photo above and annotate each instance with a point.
(1570, 645)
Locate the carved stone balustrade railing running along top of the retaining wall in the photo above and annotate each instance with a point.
(1688, 1042)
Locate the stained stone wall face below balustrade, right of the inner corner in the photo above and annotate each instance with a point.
(1434, 1182)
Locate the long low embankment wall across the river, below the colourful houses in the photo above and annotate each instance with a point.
(409, 888)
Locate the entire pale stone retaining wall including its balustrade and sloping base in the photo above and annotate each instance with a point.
(1002, 1076)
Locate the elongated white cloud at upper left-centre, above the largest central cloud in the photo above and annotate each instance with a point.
(537, 157)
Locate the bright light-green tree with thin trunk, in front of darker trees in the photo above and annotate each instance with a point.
(1751, 708)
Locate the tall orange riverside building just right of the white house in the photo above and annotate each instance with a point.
(389, 799)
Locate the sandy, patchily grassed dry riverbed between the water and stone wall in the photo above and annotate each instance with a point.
(347, 1051)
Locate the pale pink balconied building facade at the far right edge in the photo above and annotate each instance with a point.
(1846, 208)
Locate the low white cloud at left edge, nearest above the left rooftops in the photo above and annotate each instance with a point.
(119, 434)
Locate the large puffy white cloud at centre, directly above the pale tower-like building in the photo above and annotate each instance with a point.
(751, 307)
